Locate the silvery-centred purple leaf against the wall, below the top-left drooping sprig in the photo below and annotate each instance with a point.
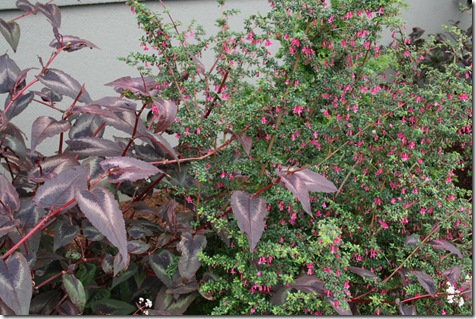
(63, 84)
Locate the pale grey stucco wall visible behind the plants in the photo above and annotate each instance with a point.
(113, 28)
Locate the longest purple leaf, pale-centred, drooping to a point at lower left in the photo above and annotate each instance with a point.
(102, 210)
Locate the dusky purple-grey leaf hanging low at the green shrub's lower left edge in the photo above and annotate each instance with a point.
(190, 246)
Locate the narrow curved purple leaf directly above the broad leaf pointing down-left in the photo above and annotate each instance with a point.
(51, 166)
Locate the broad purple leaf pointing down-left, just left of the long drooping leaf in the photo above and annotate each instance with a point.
(61, 189)
